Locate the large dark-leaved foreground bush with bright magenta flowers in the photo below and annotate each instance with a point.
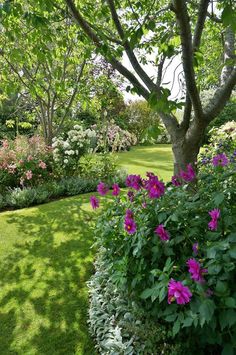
(173, 253)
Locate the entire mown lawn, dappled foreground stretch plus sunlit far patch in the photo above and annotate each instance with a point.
(45, 260)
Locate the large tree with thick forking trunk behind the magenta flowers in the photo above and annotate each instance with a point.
(164, 30)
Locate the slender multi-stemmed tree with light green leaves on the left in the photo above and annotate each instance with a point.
(48, 64)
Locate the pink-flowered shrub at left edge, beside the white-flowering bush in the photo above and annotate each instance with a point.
(24, 162)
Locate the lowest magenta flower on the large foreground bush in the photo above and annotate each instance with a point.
(178, 292)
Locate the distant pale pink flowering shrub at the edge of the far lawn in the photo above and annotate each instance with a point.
(113, 138)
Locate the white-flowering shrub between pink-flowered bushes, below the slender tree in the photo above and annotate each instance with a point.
(68, 151)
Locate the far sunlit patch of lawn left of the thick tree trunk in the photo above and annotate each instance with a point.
(155, 158)
